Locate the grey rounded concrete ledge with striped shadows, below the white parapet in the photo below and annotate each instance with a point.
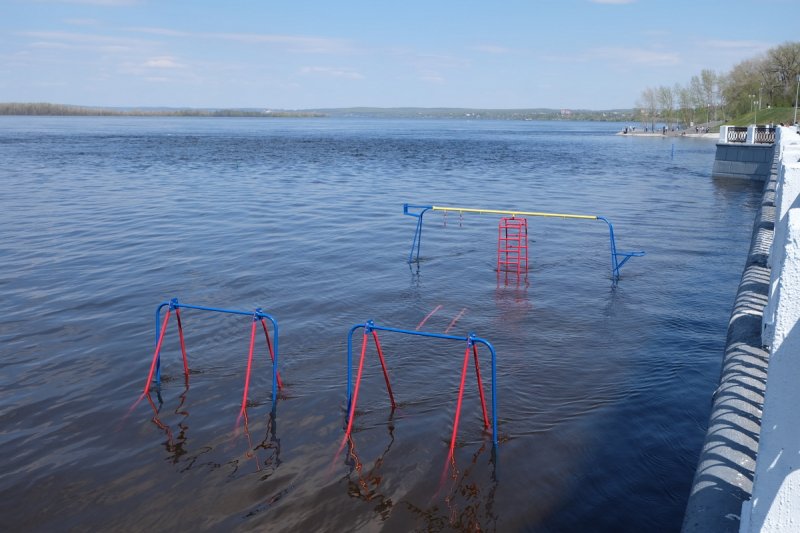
(724, 475)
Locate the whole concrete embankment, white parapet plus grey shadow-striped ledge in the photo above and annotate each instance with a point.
(740, 462)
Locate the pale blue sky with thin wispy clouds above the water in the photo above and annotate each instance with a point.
(298, 54)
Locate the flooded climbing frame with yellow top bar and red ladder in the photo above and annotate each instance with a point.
(512, 247)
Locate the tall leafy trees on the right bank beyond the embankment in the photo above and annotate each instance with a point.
(768, 80)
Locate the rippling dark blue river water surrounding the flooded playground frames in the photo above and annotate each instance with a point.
(603, 394)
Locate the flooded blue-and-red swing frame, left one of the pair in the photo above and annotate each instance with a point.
(257, 316)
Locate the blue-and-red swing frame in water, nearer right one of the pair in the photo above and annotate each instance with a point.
(371, 329)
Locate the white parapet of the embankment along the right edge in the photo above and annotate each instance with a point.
(774, 505)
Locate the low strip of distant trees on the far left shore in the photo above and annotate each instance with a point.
(70, 110)
